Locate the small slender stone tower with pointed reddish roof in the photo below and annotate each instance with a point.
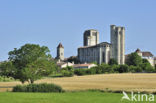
(60, 52)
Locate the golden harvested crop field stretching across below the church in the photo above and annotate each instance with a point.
(127, 82)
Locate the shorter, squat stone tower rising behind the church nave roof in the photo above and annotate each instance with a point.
(91, 37)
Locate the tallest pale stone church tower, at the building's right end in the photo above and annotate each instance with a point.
(118, 43)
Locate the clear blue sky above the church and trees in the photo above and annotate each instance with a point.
(49, 22)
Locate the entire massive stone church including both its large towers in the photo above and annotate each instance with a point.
(102, 52)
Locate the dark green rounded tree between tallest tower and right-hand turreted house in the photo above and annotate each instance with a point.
(134, 59)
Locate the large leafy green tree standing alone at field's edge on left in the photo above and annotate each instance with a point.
(31, 62)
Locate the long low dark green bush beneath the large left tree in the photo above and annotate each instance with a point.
(38, 88)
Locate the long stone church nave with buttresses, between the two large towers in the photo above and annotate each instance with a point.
(97, 53)
